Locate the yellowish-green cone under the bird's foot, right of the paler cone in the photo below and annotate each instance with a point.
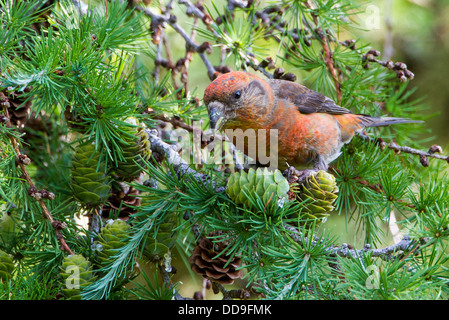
(321, 190)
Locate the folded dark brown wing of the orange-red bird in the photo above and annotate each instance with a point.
(306, 100)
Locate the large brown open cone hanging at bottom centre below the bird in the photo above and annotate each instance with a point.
(222, 269)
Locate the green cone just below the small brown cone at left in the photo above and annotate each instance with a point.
(111, 237)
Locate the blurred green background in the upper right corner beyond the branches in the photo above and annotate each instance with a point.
(416, 32)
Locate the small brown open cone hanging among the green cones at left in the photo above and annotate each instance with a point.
(121, 199)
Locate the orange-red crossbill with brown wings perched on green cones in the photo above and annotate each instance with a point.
(311, 128)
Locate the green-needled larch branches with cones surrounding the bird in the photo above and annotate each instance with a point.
(93, 175)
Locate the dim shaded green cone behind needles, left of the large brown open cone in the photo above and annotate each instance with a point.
(165, 239)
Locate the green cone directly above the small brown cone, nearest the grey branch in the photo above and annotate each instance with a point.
(133, 150)
